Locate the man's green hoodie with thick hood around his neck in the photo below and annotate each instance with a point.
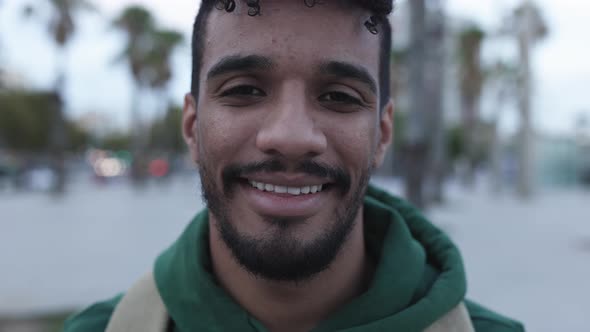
(419, 278)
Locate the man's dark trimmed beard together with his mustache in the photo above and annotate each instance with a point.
(278, 254)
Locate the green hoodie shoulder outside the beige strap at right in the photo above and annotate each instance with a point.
(485, 320)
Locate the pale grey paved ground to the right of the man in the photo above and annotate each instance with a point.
(531, 260)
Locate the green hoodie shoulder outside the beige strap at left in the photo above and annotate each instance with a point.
(94, 318)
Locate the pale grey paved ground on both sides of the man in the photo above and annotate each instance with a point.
(528, 260)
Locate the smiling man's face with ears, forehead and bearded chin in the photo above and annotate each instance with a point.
(286, 131)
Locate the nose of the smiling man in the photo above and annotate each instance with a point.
(289, 129)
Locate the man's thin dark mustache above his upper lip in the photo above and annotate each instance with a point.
(336, 175)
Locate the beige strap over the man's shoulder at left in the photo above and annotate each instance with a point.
(140, 310)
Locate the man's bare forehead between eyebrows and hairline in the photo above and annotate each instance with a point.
(293, 35)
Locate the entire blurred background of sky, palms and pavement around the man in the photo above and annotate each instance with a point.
(492, 141)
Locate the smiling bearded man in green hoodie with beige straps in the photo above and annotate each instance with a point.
(288, 115)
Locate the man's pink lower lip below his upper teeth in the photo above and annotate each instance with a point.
(285, 205)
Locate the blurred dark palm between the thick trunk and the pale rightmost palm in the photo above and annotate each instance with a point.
(471, 82)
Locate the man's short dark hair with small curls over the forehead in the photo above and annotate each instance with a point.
(378, 23)
